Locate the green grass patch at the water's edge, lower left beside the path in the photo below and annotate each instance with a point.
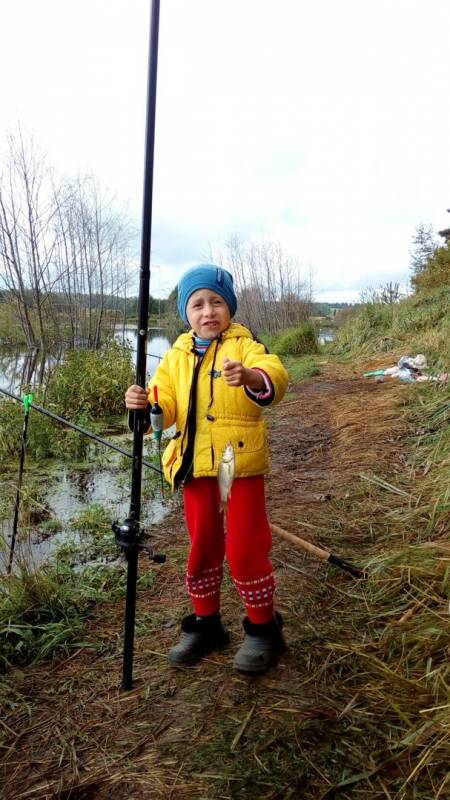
(43, 611)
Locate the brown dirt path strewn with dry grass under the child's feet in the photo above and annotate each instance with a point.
(207, 732)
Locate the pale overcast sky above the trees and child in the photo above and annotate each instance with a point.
(323, 125)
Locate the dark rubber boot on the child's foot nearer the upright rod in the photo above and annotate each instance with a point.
(198, 638)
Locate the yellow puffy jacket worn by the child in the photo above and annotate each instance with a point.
(223, 413)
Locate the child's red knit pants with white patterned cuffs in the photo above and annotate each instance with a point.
(246, 546)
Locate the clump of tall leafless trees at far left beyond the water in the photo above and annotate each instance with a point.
(64, 251)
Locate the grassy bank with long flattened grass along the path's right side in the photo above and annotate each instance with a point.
(394, 632)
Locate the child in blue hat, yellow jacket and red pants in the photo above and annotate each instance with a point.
(212, 385)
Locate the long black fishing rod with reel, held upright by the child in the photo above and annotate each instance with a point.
(128, 533)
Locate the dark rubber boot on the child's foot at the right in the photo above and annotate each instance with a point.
(262, 646)
